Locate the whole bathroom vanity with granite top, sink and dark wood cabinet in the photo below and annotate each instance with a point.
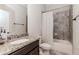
(20, 46)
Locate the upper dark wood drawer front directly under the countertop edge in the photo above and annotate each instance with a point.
(26, 49)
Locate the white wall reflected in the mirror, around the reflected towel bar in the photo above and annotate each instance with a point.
(20, 17)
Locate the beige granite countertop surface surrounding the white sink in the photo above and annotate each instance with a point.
(8, 48)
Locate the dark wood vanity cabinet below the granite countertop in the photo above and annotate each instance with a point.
(30, 49)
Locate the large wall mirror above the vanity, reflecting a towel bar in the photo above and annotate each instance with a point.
(13, 18)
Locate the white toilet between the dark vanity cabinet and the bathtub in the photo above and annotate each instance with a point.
(45, 49)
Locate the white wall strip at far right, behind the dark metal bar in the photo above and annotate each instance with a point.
(76, 30)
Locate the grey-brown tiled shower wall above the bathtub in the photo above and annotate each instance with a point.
(62, 26)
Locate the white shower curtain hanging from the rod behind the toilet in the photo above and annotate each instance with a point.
(47, 27)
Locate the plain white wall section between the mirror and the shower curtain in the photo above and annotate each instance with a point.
(34, 19)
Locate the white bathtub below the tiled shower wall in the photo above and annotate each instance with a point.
(61, 47)
